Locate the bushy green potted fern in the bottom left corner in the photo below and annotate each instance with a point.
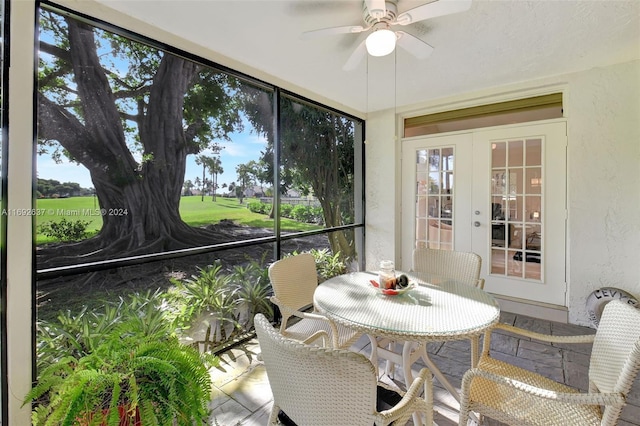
(135, 373)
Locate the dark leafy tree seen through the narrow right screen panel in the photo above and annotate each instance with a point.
(316, 156)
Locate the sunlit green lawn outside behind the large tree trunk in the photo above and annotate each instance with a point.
(193, 210)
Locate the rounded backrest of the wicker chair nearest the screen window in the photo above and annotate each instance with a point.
(294, 279)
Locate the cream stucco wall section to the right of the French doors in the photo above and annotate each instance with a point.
(603, 110)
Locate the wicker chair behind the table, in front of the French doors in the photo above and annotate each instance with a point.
(460, 266)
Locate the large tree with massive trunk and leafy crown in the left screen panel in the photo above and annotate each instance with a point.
(131, 115)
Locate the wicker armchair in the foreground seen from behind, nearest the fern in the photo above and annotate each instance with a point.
(318, 386)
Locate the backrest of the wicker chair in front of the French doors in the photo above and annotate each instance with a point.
(458, 265)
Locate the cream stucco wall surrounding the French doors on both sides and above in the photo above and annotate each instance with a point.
(602, 107)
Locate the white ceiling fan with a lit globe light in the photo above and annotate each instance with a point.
(380, 16)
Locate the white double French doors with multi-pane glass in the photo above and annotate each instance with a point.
(500, 193)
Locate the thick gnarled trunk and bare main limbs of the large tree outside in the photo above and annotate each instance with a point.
(139, 201)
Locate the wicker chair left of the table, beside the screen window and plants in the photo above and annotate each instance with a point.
(294, 279)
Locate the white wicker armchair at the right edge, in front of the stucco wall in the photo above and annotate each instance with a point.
(517, 396)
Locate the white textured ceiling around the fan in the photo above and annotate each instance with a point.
(492, 44)
